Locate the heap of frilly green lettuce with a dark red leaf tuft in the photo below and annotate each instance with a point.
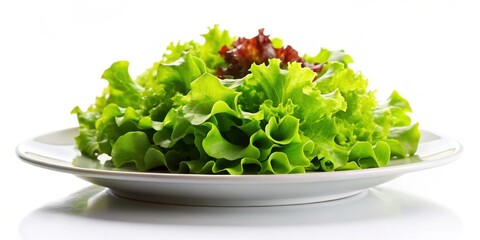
(244, 106)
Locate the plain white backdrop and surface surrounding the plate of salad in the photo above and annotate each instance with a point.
(52, 54)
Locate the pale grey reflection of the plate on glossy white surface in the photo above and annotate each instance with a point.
(95, 213)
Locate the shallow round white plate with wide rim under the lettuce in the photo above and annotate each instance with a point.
(56, 151)
